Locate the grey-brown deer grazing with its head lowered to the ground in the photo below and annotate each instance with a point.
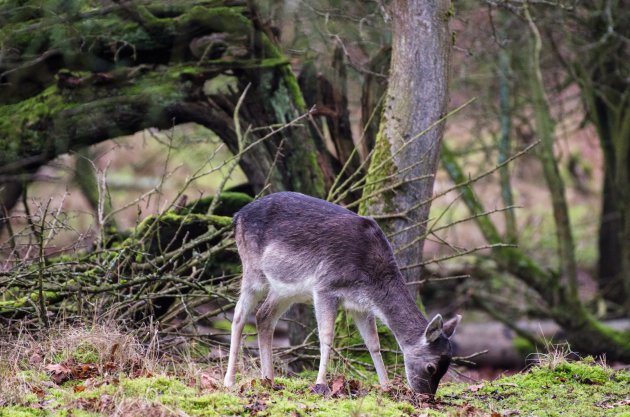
(300, 249)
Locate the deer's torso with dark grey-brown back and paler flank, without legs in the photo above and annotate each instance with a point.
(294, 238)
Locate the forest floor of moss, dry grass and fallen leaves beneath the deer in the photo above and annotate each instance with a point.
(107, 374)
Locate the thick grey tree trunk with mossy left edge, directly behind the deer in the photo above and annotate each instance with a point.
(417, 97)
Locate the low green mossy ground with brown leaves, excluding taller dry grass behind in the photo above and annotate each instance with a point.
(563, 388)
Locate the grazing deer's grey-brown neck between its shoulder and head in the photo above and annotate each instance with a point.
(399, 312)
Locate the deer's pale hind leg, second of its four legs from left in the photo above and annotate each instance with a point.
(266, 318)
